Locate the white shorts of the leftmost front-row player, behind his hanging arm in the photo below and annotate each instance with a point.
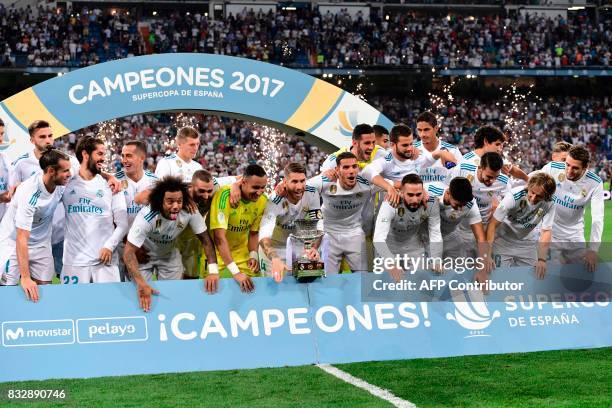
(41, 266)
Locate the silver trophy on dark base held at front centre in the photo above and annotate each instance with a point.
(302, 239)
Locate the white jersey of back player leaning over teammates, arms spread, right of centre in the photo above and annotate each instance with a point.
(389, 167)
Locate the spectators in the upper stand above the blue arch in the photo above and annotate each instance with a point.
(46, 37)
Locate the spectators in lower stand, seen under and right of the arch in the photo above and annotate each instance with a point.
(228, 145)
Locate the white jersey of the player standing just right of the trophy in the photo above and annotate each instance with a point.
(342, 209)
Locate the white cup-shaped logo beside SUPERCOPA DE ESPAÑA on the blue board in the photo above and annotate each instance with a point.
(472, 313)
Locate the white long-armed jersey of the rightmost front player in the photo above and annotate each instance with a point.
(571, 198)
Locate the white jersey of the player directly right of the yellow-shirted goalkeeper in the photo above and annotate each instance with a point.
(278, 219)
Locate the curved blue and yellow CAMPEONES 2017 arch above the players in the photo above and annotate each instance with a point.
(237, 87)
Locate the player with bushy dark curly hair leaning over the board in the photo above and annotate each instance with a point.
(156, 227)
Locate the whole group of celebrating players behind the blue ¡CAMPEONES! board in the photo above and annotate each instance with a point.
(387, 194)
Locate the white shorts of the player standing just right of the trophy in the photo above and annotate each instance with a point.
(351, 246)
